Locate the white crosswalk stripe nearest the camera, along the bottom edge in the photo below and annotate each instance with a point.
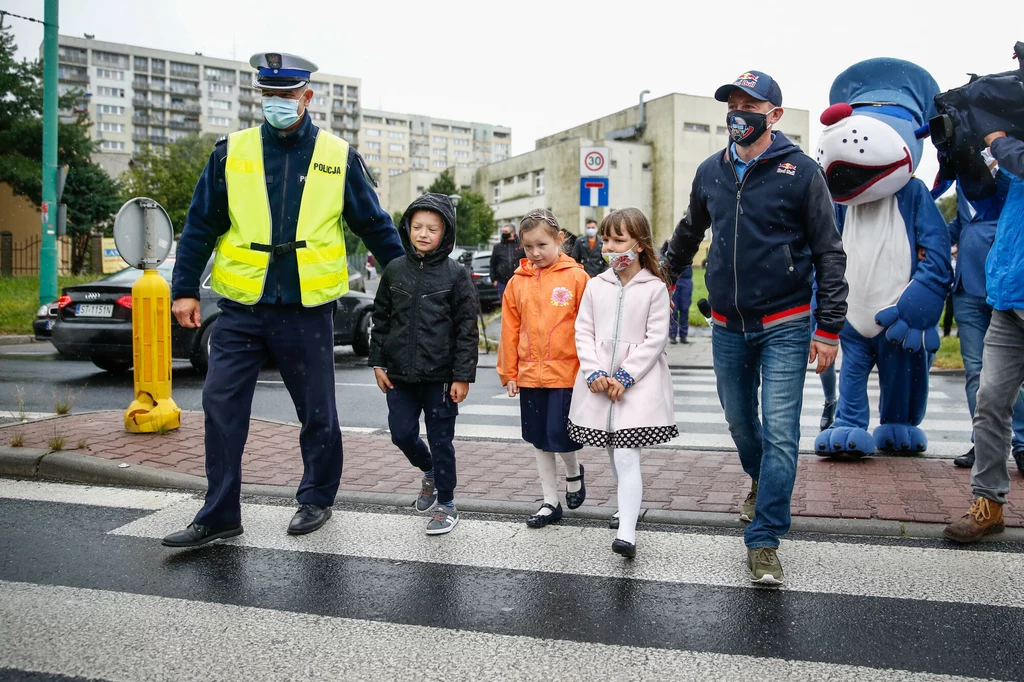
(119, 636)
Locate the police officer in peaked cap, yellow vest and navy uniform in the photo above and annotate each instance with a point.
(272, 202)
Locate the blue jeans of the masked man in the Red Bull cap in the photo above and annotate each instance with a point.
(776, 361)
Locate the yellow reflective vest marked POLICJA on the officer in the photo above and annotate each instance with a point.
(245, 250)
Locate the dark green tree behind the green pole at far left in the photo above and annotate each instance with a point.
(92, 196)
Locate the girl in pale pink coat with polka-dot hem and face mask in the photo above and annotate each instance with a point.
(623, 398)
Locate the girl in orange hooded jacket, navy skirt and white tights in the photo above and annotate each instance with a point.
(537, 357)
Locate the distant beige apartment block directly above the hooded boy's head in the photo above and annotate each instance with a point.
(395, 144)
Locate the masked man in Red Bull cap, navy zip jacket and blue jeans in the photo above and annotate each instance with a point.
(775, 234)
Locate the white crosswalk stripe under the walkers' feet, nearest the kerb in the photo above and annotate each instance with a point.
(909, 573)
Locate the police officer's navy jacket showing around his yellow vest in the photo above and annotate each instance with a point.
(286, 160)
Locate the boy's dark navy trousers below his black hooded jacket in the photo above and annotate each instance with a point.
(405, 404)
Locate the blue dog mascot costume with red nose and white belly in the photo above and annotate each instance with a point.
(869, 153)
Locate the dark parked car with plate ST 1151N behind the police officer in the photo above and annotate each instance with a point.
(94, 322)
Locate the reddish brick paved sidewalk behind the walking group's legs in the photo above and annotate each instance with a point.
(908, 490)
